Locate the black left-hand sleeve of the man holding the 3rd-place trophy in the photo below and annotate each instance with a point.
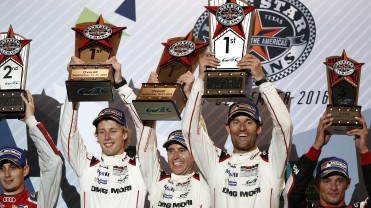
(301, 175)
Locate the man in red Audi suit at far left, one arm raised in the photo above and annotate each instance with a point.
(14, 167)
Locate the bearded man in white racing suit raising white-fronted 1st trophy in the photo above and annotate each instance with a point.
(247, 177)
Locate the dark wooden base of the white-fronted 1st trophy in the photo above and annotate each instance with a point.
(227, 86)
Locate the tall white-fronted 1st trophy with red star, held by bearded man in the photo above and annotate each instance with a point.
(230, 33)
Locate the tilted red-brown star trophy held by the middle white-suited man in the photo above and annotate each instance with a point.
(166, 100)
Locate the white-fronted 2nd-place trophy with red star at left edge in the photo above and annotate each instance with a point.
(14, 50)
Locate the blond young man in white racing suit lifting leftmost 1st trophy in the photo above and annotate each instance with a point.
(114, 180)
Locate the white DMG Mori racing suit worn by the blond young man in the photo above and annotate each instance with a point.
(112, 181)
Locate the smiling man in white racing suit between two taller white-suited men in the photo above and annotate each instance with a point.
(184, 187)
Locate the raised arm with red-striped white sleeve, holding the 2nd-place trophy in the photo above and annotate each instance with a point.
(50, 160)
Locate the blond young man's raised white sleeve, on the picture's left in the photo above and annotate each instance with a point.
(73, 145)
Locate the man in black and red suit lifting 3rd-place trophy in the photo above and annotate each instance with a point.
(332, 176)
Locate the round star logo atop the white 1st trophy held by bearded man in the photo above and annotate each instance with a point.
(229, 14)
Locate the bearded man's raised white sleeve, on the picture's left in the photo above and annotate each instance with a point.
(205, 153)
